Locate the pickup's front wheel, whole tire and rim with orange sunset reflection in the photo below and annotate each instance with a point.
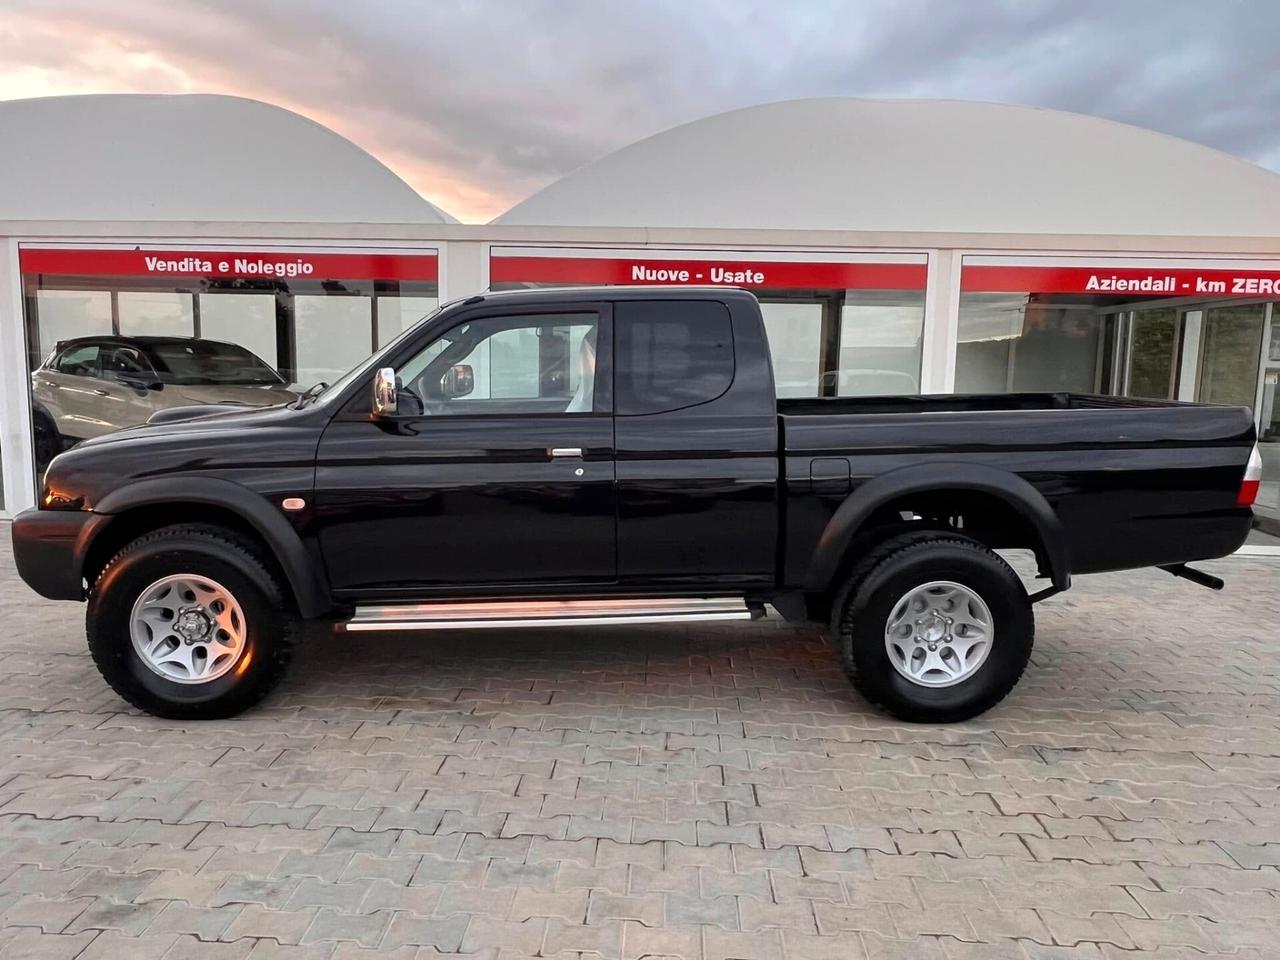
(189, 623)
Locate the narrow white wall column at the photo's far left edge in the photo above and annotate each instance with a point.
(20, 473)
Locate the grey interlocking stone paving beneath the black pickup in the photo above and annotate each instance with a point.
(712, 793)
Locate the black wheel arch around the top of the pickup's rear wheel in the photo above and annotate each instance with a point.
(972, 484)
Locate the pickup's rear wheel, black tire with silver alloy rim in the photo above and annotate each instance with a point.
(935, 628)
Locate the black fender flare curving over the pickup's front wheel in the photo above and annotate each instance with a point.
(300, 569)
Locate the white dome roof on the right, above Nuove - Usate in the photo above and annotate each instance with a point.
(934, 166)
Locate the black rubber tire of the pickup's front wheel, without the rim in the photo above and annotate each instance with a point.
(203, 551)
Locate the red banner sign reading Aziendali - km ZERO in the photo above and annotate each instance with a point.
(1141, 281)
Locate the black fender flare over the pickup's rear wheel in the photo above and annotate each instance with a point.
(936, 478)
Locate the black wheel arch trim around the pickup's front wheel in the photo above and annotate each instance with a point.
(150, 505)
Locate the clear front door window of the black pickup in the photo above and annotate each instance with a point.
(538, 364)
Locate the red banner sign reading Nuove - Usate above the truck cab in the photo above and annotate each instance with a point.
(767, 275)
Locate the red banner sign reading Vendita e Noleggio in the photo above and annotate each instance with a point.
(273, 264)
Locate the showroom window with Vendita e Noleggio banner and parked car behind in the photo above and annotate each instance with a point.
(154, 330)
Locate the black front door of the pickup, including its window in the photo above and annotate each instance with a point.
(495, 474)
